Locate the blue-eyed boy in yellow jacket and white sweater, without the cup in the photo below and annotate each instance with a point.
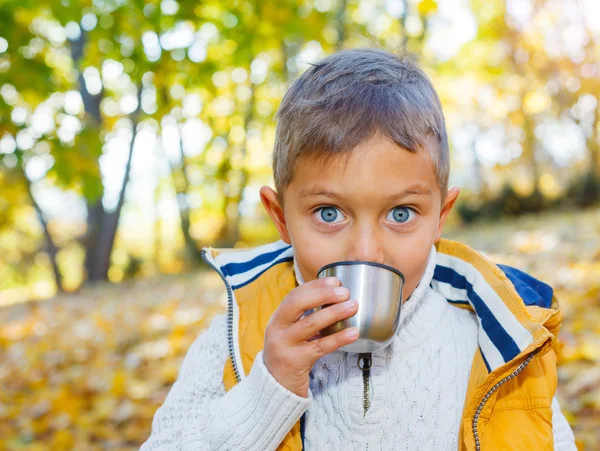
(361, 170)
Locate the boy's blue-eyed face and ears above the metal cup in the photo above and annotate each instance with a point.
(383, 206)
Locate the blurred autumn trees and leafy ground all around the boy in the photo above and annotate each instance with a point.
(133, 133)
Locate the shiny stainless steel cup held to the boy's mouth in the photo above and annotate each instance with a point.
(378, 290)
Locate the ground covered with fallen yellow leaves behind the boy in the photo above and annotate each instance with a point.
(87, 371)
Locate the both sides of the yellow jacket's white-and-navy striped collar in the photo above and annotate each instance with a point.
(497, 294)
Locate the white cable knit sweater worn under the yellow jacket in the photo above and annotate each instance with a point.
(418, 386)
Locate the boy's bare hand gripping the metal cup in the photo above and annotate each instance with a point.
(290, 350)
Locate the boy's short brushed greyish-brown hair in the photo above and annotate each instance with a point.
(346, 98)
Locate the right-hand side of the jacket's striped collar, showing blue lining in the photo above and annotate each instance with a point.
(499, 295)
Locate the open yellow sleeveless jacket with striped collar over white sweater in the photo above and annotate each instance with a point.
(513, 377)
